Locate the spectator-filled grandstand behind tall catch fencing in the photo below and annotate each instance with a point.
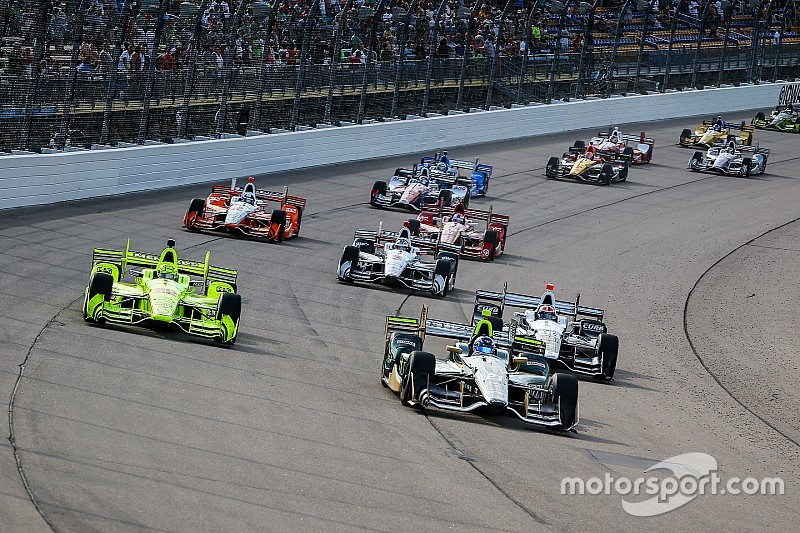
(78, 74)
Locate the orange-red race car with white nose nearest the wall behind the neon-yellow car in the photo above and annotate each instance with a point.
(246, 211)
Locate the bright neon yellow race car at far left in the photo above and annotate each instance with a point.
(198, 298)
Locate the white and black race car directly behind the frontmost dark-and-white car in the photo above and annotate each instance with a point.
(573, 335)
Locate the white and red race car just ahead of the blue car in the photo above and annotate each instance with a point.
(418, 188)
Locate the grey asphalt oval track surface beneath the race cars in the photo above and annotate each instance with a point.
(139, 430)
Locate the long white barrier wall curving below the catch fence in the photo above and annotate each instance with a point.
(42, 179)
